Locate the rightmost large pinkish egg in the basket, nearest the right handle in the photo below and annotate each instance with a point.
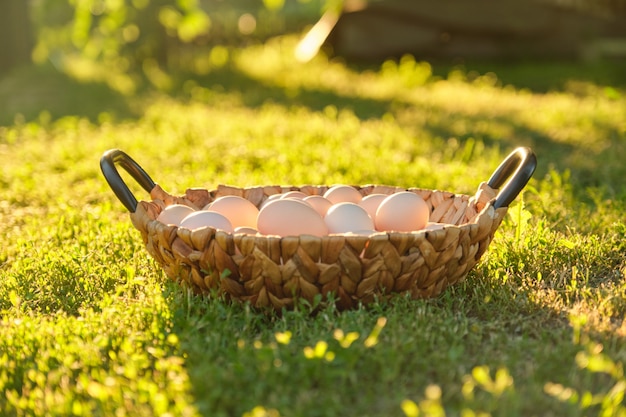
(402, 212)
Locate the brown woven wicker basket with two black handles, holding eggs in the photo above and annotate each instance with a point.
(271, 271)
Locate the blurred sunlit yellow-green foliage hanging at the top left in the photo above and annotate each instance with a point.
(126, 43)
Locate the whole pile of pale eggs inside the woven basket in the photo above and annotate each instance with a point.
(341, 210)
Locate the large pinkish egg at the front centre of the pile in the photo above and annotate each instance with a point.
(290, 217)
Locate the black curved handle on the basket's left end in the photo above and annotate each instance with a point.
(107, 164)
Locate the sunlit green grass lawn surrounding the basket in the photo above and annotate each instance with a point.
(91, 326)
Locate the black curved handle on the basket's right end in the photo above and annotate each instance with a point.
(519, 167)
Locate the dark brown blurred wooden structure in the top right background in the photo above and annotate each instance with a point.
(482, 29)
